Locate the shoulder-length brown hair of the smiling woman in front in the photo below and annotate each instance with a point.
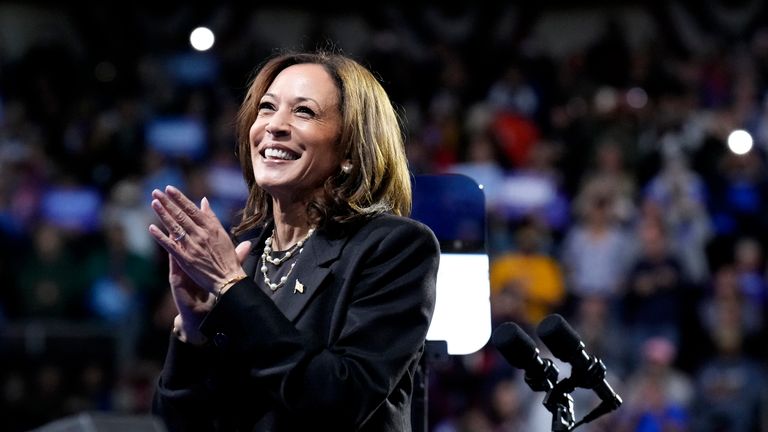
(371, 137)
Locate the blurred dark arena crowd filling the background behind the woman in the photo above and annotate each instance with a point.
(600, 136)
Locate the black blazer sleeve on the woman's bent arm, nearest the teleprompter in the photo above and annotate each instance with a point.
(386, 276)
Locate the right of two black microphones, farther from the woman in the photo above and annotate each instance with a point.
(587, 371)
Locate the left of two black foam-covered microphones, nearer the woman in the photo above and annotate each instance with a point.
(520, 351)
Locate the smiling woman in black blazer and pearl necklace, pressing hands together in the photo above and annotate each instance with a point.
(318, 320)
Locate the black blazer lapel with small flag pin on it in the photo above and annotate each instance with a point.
(307, 277)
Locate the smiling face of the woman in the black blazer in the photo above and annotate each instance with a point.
(294, 138)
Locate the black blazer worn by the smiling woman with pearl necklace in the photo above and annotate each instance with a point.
(339, 353)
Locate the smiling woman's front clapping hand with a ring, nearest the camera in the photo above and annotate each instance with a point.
(196, 241)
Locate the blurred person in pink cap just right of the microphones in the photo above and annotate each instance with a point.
(658, 395)
